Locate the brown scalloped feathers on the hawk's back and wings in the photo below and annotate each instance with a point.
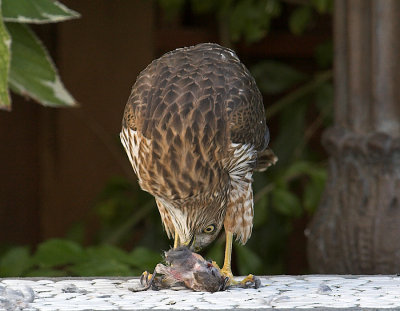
(192, 103)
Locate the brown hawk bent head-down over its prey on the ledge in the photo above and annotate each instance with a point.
(194, 130)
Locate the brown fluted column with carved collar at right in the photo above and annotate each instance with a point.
(357, 227)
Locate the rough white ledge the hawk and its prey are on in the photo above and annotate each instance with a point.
(308, 292)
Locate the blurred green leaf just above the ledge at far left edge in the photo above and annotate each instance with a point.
(15, 262)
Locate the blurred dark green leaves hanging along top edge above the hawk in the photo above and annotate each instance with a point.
(250, 20)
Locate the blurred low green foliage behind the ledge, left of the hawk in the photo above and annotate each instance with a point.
(60, 257)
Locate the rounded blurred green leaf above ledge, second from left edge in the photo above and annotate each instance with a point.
(57, 252)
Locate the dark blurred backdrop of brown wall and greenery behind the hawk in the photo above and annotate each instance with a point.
(69, 200)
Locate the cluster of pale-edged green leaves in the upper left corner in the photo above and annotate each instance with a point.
(25, 65)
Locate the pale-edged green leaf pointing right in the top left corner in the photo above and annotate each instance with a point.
(36, 11)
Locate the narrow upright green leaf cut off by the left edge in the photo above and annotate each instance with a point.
(5, 102)
